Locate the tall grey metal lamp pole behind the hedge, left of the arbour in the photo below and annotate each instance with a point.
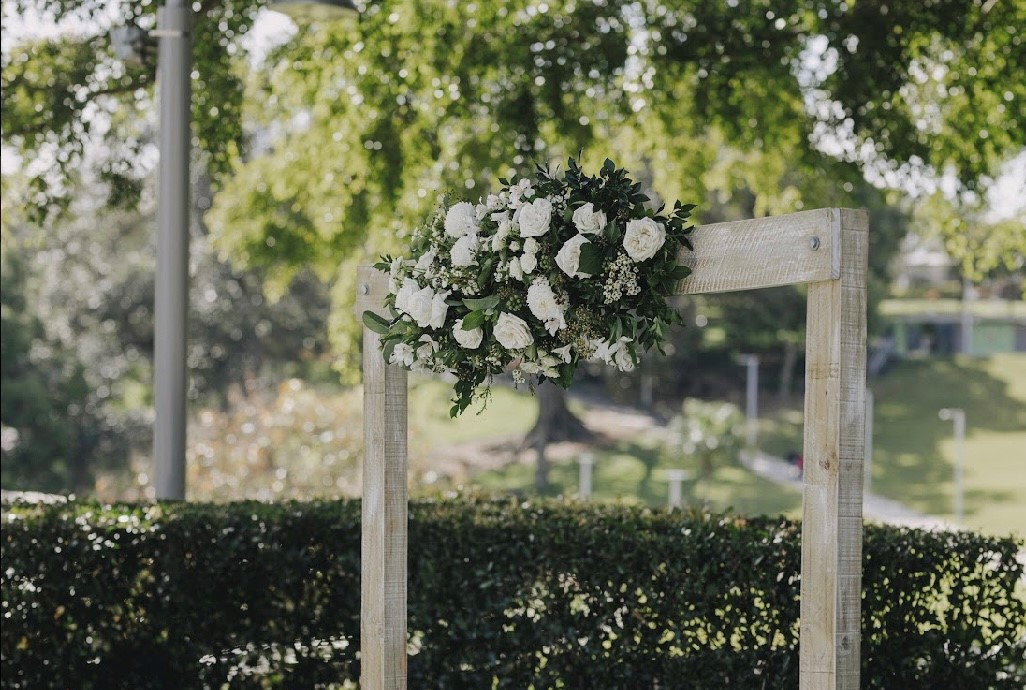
(174, 70)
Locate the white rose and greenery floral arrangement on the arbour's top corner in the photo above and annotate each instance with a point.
(535, 279)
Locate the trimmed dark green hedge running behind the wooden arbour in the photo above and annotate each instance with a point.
(502, 595)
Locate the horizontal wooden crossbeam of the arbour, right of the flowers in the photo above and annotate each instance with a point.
(802, 248)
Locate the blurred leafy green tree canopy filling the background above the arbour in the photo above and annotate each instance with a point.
(322, 152)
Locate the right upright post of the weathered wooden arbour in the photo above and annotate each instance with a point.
(835, 441)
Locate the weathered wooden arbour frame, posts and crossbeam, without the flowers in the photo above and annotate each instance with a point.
(824, 249)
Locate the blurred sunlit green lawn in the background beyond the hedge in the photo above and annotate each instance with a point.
(913, 461)
